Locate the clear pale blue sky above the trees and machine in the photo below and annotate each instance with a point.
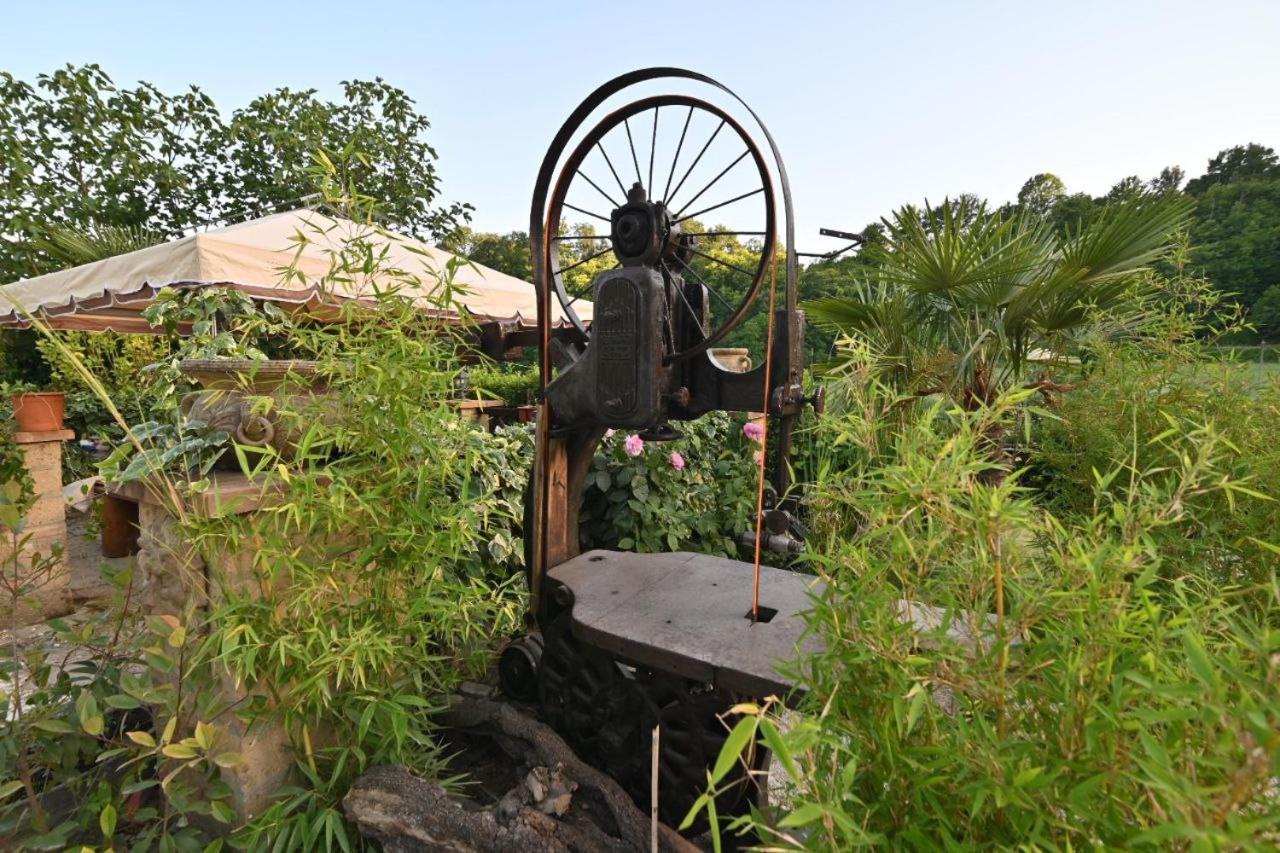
(872, 104)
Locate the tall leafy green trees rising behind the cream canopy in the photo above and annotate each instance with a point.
(77, 152)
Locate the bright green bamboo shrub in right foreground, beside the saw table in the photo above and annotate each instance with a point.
(1085, 690)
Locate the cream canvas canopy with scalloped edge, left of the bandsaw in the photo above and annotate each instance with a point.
(253, 257)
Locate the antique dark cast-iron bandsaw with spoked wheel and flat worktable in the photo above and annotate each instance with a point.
(625, 642)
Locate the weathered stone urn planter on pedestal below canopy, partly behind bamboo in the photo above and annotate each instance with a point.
(246, 400)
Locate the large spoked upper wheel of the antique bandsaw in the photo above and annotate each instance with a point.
(693, 158)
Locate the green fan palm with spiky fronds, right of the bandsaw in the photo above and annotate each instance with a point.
(961, 300)
